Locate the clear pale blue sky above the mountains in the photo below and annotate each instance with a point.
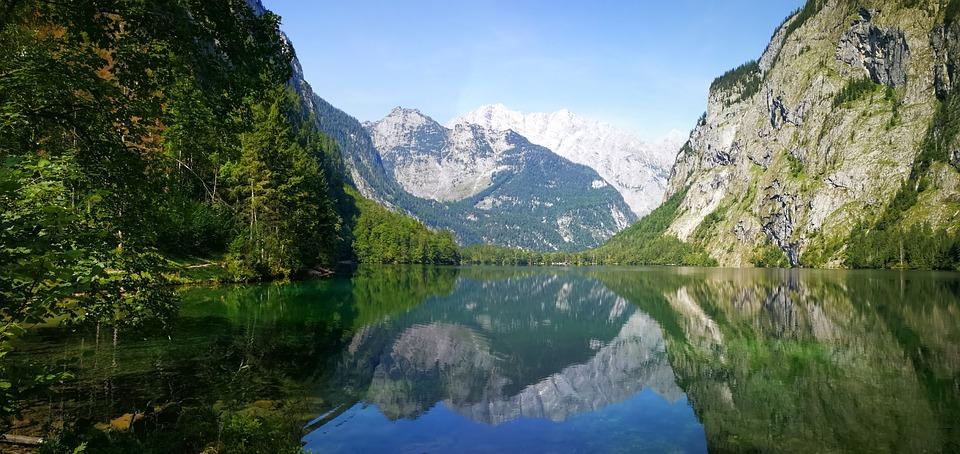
(641, 65)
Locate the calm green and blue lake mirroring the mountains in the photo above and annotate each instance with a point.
(540, 360)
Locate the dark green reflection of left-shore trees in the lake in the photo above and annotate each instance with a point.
(228, 375)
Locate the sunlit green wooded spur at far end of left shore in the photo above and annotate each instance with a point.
(387, 237)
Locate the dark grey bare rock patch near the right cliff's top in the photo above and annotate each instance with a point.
(882, 52)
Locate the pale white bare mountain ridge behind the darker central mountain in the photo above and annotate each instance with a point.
(635, 168)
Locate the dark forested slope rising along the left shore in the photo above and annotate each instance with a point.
(136, 132)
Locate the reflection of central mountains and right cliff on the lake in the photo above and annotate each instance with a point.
(783, 360)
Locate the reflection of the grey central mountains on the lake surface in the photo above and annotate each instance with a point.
(540, 346)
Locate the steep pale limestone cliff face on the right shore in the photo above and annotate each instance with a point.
(796, 149)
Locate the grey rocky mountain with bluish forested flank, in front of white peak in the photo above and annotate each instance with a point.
(487, 186)
